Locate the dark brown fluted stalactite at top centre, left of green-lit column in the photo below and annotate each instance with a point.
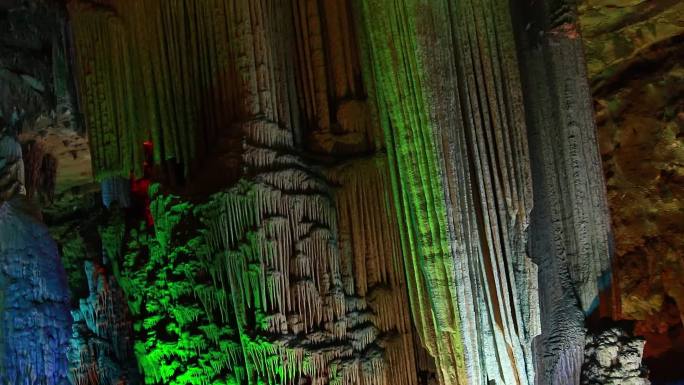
(328, 76)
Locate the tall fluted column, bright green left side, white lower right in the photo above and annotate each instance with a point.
(455, 135)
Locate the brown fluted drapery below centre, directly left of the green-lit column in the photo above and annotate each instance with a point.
(371, 263)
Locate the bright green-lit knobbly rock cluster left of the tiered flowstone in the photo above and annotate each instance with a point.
(183, 334)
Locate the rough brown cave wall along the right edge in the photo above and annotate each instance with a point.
(634, 52)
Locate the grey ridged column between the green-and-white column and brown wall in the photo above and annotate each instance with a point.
(570, 229)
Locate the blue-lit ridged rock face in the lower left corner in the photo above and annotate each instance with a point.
(34, 304)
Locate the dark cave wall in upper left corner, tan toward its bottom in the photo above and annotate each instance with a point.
(37, 102)
